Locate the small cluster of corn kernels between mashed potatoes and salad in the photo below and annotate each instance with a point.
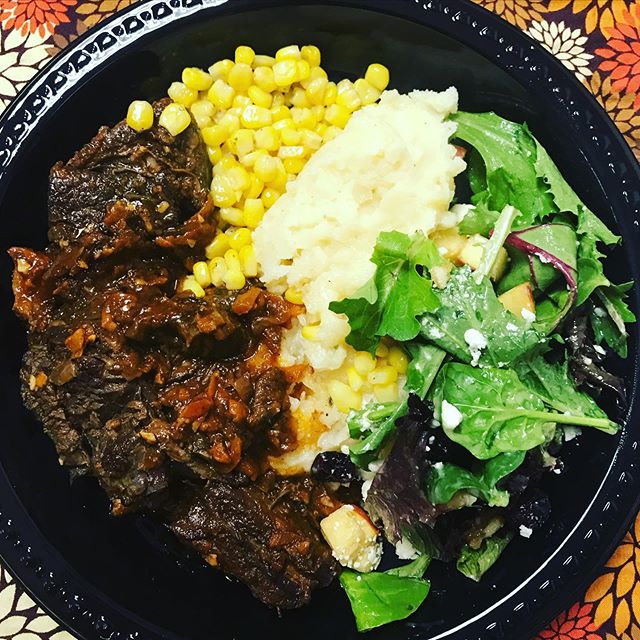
(368, 376)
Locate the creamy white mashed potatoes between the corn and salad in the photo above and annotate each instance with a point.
(391, 169)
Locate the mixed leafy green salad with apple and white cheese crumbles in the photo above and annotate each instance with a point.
(507, 346)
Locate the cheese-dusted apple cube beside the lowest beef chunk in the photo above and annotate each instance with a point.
(353, 538)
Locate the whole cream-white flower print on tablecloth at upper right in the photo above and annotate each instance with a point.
(566, 44)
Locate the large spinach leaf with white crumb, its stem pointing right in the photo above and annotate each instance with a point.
(495, 413)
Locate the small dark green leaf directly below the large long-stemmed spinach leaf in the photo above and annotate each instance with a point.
(445, 480)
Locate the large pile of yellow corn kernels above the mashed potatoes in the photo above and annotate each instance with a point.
(261, 118)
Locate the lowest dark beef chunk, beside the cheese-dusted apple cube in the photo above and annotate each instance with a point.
(264, 531)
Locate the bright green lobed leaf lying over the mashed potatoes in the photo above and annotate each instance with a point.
(390, 302)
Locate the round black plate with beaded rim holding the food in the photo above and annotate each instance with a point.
(126, 579)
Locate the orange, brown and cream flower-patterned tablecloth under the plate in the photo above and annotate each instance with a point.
(599, 40)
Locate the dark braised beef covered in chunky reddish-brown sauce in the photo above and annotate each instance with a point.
(173, 403)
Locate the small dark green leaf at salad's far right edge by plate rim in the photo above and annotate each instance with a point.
(608, 321)
